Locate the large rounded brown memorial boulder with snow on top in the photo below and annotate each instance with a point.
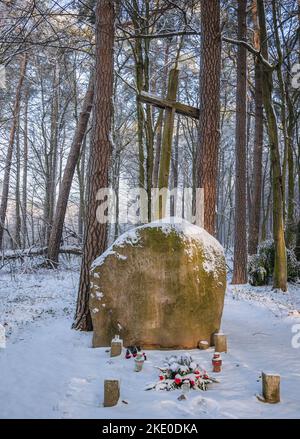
(160, 285)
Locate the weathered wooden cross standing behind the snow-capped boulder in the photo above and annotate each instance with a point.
(171, 106)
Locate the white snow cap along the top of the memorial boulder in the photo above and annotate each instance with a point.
(185, 229)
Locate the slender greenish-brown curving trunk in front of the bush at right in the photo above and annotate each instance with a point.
(280, 266)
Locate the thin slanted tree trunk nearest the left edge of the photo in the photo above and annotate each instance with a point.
(8, 159)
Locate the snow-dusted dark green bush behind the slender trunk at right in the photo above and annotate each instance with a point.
(261, 265)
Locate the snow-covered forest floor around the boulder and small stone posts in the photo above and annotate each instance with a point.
(50, 371)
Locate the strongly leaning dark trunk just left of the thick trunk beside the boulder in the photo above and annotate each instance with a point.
(62, 202)
